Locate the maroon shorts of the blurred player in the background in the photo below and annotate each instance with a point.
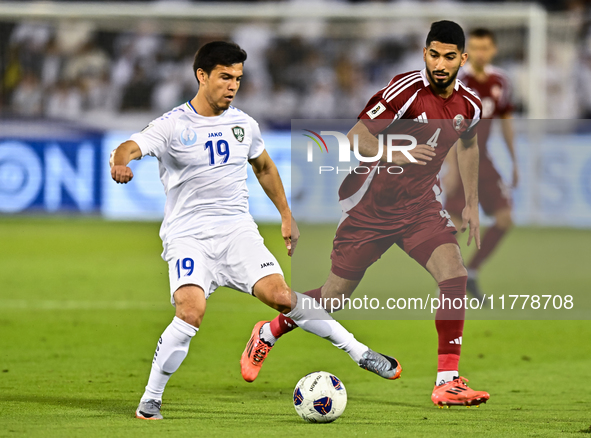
(493, 194)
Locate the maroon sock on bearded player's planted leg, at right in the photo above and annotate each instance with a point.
(450, 322)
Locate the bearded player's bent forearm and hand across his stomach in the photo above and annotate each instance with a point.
(368, 147)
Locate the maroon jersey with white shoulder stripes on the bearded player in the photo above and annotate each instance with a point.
(408, 106)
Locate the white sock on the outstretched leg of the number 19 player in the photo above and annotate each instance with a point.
(318, 321)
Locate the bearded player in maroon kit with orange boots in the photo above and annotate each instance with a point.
(381, 209)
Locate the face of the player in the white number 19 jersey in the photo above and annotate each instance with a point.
(221, 85)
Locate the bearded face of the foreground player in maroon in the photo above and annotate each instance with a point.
(443, 62)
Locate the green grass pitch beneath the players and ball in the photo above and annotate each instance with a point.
(82, 303)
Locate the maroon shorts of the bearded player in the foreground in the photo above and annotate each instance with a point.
(357, 246)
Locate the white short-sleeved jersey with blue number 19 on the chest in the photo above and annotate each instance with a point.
(202, 163)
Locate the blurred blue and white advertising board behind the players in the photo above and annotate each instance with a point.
(46, 170)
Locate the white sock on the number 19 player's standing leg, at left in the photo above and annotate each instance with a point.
(171, 350)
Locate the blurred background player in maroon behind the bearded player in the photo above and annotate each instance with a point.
(493, 87)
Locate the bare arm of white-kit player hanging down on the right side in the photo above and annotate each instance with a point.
(266, 172)
